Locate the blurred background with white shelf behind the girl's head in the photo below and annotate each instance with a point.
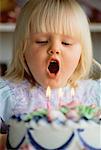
(10, 10)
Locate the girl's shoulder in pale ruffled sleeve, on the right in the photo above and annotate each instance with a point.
(90, 91)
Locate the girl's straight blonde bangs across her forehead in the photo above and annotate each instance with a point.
(55, 20)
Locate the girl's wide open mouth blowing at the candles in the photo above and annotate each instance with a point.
(53, 67)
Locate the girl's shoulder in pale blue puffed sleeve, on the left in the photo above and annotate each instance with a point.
(11, 95)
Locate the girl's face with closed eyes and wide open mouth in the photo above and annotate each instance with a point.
(52, 58)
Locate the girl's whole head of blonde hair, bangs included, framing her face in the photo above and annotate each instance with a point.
(58, 16)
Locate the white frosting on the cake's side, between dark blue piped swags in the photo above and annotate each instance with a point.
(54, 134)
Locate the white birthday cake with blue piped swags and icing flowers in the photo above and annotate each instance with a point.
(66, 128)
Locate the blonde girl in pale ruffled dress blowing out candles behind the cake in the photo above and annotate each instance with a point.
(52, 47)
